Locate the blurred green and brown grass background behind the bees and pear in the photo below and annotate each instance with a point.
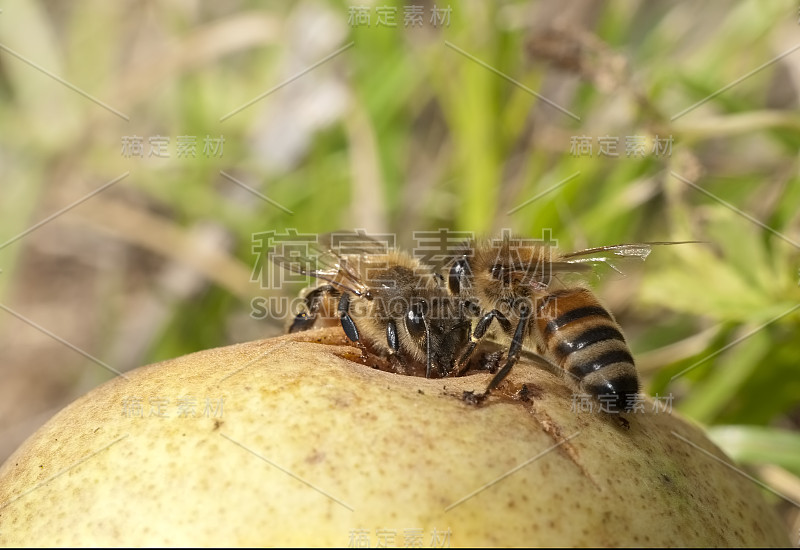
(456, 125)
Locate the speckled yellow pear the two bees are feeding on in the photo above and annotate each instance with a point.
(289, 441)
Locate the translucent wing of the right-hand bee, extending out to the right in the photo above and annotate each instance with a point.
(615, 257)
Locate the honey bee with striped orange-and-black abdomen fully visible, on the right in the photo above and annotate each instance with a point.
(523, 288)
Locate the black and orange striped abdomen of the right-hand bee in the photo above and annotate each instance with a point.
(578, 334)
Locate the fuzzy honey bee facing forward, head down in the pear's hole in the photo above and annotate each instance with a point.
(390, 301)
